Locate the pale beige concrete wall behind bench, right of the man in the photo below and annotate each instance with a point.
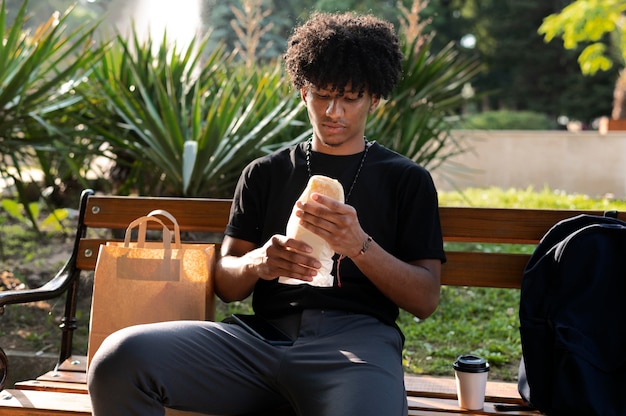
(576, 162)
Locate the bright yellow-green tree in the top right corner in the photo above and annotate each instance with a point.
(600, 23)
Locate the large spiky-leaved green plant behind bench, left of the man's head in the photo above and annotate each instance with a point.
(195, 121)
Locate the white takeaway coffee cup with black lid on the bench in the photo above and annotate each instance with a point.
(471, 380)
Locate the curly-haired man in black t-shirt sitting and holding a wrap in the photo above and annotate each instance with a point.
(345, 357)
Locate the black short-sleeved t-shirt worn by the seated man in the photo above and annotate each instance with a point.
(396, 203)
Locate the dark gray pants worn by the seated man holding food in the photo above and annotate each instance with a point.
(341, 364)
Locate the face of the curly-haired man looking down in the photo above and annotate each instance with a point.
(338, 119)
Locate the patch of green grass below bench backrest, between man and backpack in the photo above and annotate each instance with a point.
(469, 320)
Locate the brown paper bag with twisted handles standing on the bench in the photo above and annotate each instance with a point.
(144, 282)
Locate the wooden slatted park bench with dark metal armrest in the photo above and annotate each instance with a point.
(62, 391)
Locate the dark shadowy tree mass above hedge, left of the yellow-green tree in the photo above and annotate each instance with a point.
(521, 71)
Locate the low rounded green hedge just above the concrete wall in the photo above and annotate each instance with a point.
(507, 120)
